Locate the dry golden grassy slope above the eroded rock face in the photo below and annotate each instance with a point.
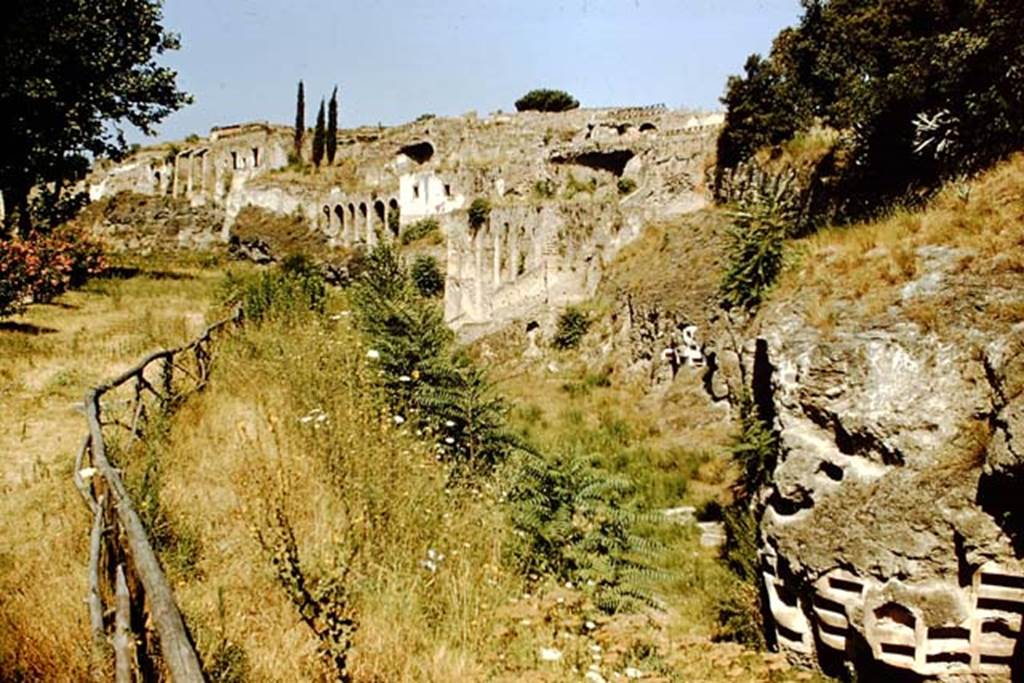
(861, 271)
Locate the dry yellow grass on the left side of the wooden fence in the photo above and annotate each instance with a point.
(49, 357)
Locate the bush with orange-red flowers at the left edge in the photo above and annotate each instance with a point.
(41, 268)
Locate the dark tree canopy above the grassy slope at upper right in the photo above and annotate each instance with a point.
(919, 91)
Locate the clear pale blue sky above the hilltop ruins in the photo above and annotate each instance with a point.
(395, 60)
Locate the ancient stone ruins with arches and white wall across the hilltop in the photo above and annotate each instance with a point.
(569, 191)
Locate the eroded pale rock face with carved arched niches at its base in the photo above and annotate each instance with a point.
(892, 529)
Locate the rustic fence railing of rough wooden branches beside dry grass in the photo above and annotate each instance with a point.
(132, 606)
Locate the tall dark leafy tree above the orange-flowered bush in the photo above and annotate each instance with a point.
(74, 73)
